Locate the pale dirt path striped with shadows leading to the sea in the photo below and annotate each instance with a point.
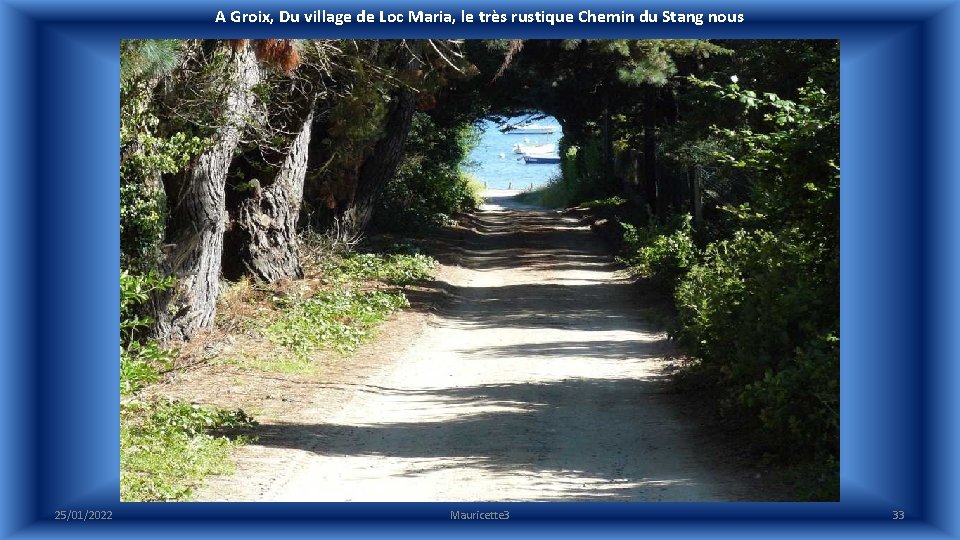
(538, 381)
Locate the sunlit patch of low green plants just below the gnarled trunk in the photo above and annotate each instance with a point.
(338, 319)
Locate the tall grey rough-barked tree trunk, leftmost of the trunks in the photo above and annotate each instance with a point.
(198, 213)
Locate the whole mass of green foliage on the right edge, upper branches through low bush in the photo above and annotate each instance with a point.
(761, 309)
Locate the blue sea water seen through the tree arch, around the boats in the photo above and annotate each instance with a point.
(493, 162)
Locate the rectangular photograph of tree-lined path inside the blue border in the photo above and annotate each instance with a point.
(484, 270)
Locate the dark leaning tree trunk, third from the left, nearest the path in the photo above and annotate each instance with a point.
(379, 168)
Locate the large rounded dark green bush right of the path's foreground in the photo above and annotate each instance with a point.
(763, 321)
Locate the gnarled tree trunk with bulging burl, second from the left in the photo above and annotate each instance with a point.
(267, 220)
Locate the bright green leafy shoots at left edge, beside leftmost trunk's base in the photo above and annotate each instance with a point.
(140, 359)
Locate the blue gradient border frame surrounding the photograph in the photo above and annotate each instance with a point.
(900, 298)
